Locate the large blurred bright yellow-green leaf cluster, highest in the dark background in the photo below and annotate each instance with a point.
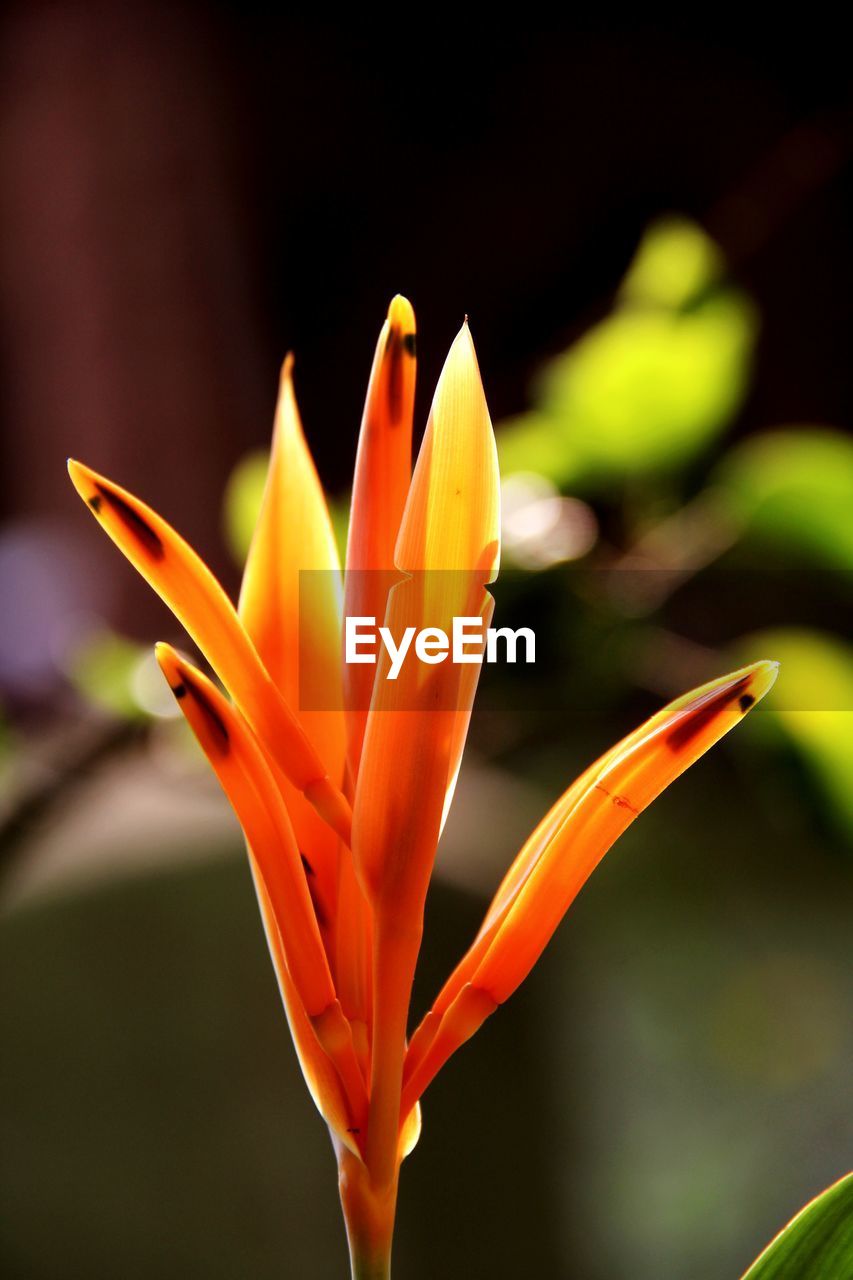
(653, 385)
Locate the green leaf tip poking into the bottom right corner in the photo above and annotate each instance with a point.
(818, 1245)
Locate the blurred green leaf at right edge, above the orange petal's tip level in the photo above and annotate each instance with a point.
(795, 487)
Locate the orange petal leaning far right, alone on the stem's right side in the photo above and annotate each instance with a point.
(564, 852)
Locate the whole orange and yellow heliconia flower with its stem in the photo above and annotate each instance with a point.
(343, 806)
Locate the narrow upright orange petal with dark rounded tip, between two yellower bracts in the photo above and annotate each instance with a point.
(382, 478)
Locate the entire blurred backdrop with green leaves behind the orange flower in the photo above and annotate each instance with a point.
(651, 232)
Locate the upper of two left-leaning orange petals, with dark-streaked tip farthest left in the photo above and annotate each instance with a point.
(170, 565)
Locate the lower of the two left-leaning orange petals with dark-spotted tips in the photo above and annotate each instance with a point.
(241, 767)
